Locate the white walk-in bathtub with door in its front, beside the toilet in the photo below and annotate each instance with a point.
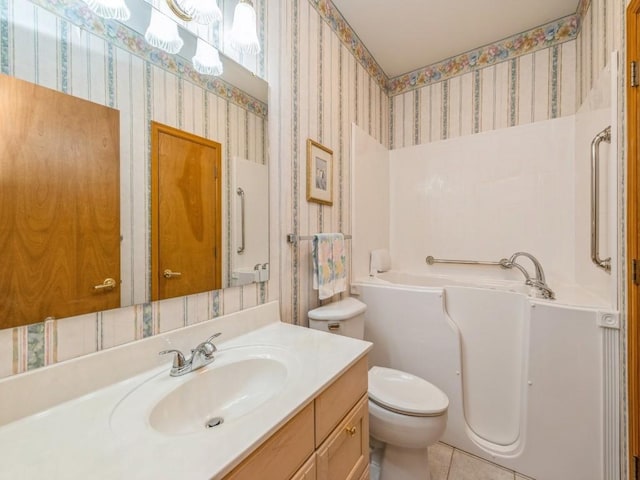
(567, 381)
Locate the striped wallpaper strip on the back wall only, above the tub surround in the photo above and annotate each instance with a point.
(530, 88)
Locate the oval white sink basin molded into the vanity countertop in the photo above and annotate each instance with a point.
(237, 383)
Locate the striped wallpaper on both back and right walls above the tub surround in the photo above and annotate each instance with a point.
(549, 83)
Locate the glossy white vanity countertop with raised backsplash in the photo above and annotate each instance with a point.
(106, 427)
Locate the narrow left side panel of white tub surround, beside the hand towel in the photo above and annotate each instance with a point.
(370, 199)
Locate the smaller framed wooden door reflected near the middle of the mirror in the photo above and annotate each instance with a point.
(186, 213)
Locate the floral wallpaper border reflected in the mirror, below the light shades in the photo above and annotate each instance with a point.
(134, 43)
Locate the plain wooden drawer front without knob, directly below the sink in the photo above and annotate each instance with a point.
(279, 457)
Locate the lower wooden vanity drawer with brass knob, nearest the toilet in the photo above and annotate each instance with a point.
(345, 454)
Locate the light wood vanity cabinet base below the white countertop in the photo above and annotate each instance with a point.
(329, 437)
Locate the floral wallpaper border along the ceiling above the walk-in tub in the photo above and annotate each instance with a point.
(544, 36)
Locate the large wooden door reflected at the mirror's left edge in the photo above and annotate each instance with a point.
(59, 204)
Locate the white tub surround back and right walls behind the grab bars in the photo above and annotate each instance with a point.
(469, 199)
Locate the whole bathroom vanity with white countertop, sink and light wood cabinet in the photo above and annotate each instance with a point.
(292, 403)
